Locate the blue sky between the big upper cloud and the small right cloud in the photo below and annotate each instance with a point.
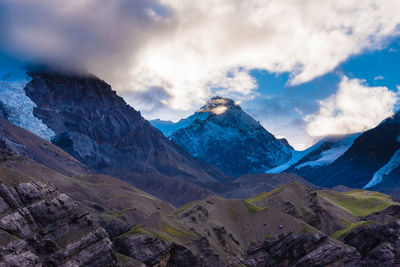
(281, 108)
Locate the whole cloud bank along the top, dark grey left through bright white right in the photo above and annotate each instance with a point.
(184, 46)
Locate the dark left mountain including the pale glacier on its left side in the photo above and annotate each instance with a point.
(85, 118)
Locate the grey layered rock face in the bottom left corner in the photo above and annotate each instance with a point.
(40, 226)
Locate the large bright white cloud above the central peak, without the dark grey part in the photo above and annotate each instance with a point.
(305, 38)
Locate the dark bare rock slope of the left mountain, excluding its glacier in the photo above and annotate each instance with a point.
(97, 127)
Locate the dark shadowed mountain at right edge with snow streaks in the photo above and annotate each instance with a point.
(367, 160)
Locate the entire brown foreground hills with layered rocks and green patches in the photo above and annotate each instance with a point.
(289, 225)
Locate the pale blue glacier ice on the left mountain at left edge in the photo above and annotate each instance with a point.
(19, 108)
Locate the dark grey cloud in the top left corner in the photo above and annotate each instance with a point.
(82, 34)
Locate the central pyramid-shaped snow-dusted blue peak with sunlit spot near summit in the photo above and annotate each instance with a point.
(221, 133)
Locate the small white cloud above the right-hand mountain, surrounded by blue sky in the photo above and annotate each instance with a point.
(354, 108)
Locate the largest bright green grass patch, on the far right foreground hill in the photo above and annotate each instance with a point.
(359, 202)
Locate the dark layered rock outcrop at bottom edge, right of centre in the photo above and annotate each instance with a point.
(305, 250)
